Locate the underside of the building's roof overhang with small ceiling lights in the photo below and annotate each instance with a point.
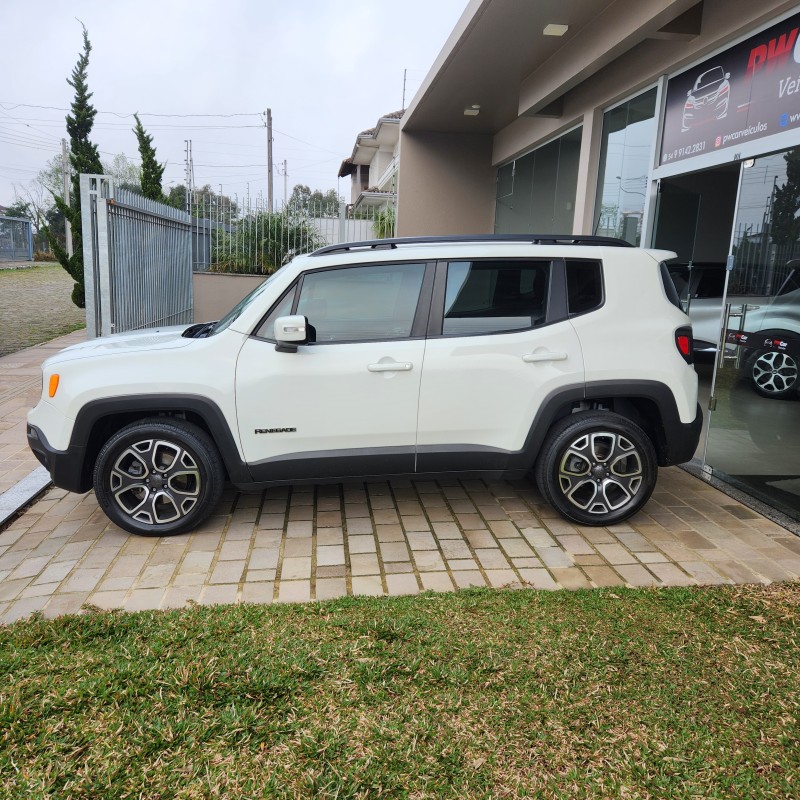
(499, 59)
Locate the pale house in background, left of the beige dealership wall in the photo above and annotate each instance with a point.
(374, 163)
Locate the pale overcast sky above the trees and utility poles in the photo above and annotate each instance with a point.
(327, 70)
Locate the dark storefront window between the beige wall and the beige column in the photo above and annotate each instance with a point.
(536, 192)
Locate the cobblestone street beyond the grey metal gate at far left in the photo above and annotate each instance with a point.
(35, 305)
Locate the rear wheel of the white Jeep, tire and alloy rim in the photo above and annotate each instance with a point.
(596, 468)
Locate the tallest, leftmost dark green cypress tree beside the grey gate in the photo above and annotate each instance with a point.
(84, 157)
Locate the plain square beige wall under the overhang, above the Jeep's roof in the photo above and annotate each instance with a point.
(446, 186)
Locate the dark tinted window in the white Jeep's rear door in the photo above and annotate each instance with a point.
(494, 296)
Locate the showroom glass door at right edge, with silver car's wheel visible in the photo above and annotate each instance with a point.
(754, 426)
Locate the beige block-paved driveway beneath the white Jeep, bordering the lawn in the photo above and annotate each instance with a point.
(300, 544)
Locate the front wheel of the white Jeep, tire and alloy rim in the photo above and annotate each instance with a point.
(158, 477)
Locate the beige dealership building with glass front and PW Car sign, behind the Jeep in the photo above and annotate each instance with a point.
(671, 124)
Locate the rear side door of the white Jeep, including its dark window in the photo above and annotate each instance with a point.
(497, 351)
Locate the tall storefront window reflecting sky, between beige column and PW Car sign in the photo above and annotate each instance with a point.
(625, 161)
